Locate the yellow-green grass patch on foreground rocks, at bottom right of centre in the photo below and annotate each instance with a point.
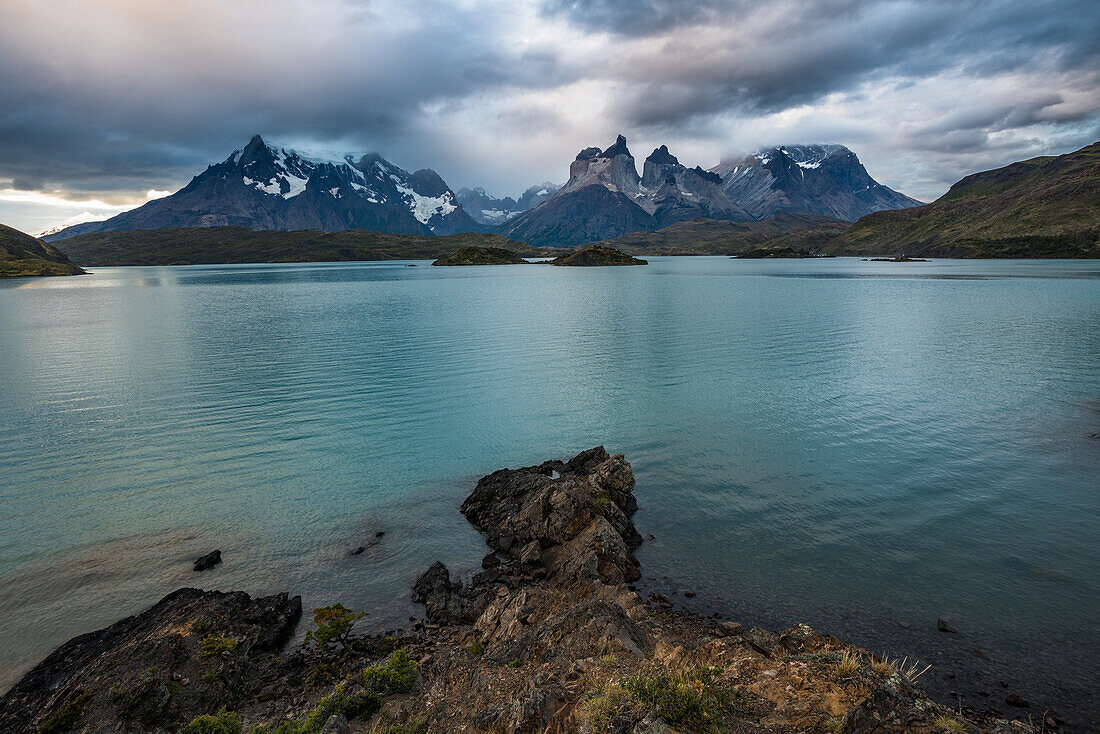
(685, 700)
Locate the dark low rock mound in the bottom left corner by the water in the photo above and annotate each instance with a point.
(146, 671)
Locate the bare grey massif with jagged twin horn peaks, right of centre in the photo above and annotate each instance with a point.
(606, 198)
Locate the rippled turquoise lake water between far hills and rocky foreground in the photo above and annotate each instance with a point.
(855, 445)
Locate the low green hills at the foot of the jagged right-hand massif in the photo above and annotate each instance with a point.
(711, 237)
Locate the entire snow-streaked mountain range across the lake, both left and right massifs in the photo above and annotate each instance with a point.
(268, 188)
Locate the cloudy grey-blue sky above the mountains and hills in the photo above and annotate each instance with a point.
(107, 104)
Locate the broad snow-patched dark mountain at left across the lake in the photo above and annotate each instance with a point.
(268, 188)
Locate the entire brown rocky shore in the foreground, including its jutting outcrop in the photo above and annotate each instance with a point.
(552, 637)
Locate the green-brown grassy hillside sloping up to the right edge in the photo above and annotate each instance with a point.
(1046, 207)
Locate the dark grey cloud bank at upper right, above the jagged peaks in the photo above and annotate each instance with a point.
(769, 57)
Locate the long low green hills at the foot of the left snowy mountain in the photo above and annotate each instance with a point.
(195, 246)
